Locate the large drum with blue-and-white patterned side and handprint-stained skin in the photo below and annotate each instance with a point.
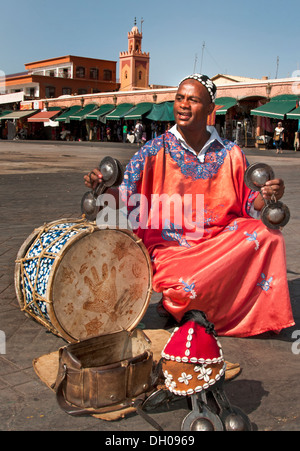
(81, 281)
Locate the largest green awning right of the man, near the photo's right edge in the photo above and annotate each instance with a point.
(277, 108)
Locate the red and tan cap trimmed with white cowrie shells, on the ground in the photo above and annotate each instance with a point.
(193, 357)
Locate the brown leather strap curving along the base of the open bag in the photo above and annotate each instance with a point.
(74, 410)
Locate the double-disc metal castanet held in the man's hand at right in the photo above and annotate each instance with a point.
(275, 214)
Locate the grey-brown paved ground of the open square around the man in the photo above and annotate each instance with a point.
(42, 182)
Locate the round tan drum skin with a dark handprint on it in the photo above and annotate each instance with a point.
(101, 285)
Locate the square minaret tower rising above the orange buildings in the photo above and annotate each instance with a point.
(134, 64)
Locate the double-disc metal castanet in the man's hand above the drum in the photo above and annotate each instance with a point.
(112, 172)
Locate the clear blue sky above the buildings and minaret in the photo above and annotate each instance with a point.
(241, 38)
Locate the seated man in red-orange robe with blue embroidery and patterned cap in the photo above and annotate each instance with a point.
(209, 253)
